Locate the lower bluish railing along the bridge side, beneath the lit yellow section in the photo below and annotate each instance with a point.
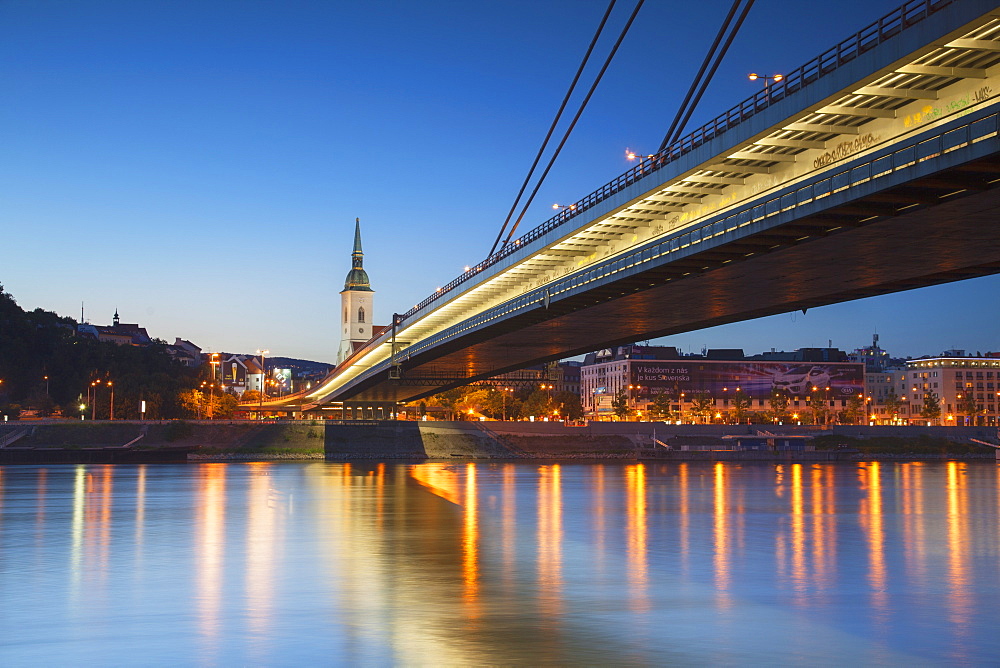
(949, 139)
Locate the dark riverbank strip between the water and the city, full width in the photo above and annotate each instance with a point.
(383, 440)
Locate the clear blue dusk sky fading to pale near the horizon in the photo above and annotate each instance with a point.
(198, 165)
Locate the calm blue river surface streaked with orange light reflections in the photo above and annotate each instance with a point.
(471, 563)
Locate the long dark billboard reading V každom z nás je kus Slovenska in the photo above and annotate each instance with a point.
(756, 379)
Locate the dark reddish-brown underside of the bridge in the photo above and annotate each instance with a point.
(929, 231)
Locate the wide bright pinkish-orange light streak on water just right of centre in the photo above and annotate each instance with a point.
(550, 538)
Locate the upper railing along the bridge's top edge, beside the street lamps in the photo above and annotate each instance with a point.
(906, 15)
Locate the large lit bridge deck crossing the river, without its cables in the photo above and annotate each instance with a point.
(871, 169)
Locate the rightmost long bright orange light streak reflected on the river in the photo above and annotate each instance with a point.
(959, 596)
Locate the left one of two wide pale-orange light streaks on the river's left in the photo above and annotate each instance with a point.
(211, 545)
